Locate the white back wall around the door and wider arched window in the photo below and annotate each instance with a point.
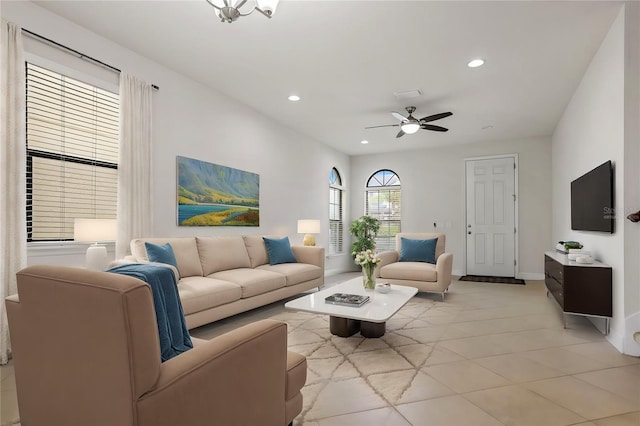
(433, 190)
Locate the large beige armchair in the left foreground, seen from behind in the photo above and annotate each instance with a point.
(86, 352)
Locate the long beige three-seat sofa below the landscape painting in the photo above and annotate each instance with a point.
(224, 276)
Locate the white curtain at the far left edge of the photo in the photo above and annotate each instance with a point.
(13, 226)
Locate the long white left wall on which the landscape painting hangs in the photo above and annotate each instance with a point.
(192, 120)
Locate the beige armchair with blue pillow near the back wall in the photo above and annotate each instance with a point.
(424, 276)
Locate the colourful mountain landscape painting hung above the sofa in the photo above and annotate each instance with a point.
(214, 195)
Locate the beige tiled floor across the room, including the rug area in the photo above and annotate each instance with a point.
(490, 354)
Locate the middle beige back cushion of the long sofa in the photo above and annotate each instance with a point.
(222, 253)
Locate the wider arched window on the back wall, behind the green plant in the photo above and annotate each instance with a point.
(382, 201)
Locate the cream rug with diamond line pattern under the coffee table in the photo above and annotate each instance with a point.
(369, 373)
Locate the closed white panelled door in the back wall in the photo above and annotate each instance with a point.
(491, 228)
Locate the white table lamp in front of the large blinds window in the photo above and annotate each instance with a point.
(95, 230)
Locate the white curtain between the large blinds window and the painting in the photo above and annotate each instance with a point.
(134, 167)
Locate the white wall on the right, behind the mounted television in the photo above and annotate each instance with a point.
(590, 132)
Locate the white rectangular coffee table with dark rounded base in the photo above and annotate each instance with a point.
(370, 319)
